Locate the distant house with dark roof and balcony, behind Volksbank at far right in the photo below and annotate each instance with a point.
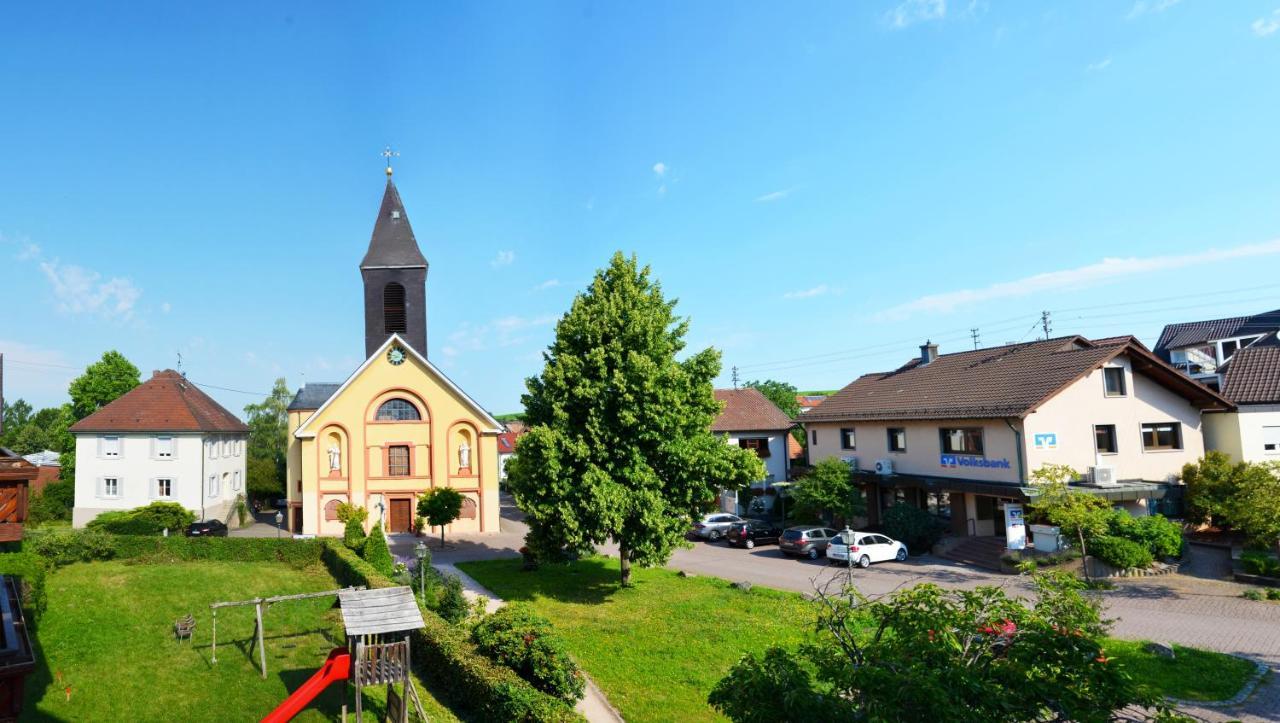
(1203, 349)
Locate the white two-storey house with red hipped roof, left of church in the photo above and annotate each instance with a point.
(164, 441)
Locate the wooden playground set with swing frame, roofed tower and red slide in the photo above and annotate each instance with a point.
(378, 625)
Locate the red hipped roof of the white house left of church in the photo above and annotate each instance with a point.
(167, 402)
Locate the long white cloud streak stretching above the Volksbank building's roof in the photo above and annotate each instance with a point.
(1082, 277)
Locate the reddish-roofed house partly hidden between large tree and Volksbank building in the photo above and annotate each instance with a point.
(752, 422)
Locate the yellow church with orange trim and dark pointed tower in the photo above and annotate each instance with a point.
(397, 427)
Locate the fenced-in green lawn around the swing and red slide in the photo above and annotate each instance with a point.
(108, 638)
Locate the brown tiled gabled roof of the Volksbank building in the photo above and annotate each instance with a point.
(998, 383)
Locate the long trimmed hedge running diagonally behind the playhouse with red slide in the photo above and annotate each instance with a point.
(445, 653)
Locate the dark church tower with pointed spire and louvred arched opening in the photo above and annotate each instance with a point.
(395, 274)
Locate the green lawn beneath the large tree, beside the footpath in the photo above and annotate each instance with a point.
(657, 648)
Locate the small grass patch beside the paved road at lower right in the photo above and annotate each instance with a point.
(1192, 675)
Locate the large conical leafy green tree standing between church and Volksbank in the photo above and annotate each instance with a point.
(620, 445)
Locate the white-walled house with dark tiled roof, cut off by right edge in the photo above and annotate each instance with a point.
(1251, 433)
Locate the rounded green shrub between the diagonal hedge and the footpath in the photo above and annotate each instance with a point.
(523, 640)
